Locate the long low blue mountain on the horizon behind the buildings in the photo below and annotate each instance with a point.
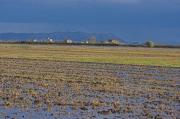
(57, 36)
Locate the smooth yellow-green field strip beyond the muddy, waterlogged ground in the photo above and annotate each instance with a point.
(116, 55)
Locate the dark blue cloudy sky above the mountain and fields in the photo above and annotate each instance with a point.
(131, 20)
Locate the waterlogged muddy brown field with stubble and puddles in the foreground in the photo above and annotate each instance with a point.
(55, 89)
